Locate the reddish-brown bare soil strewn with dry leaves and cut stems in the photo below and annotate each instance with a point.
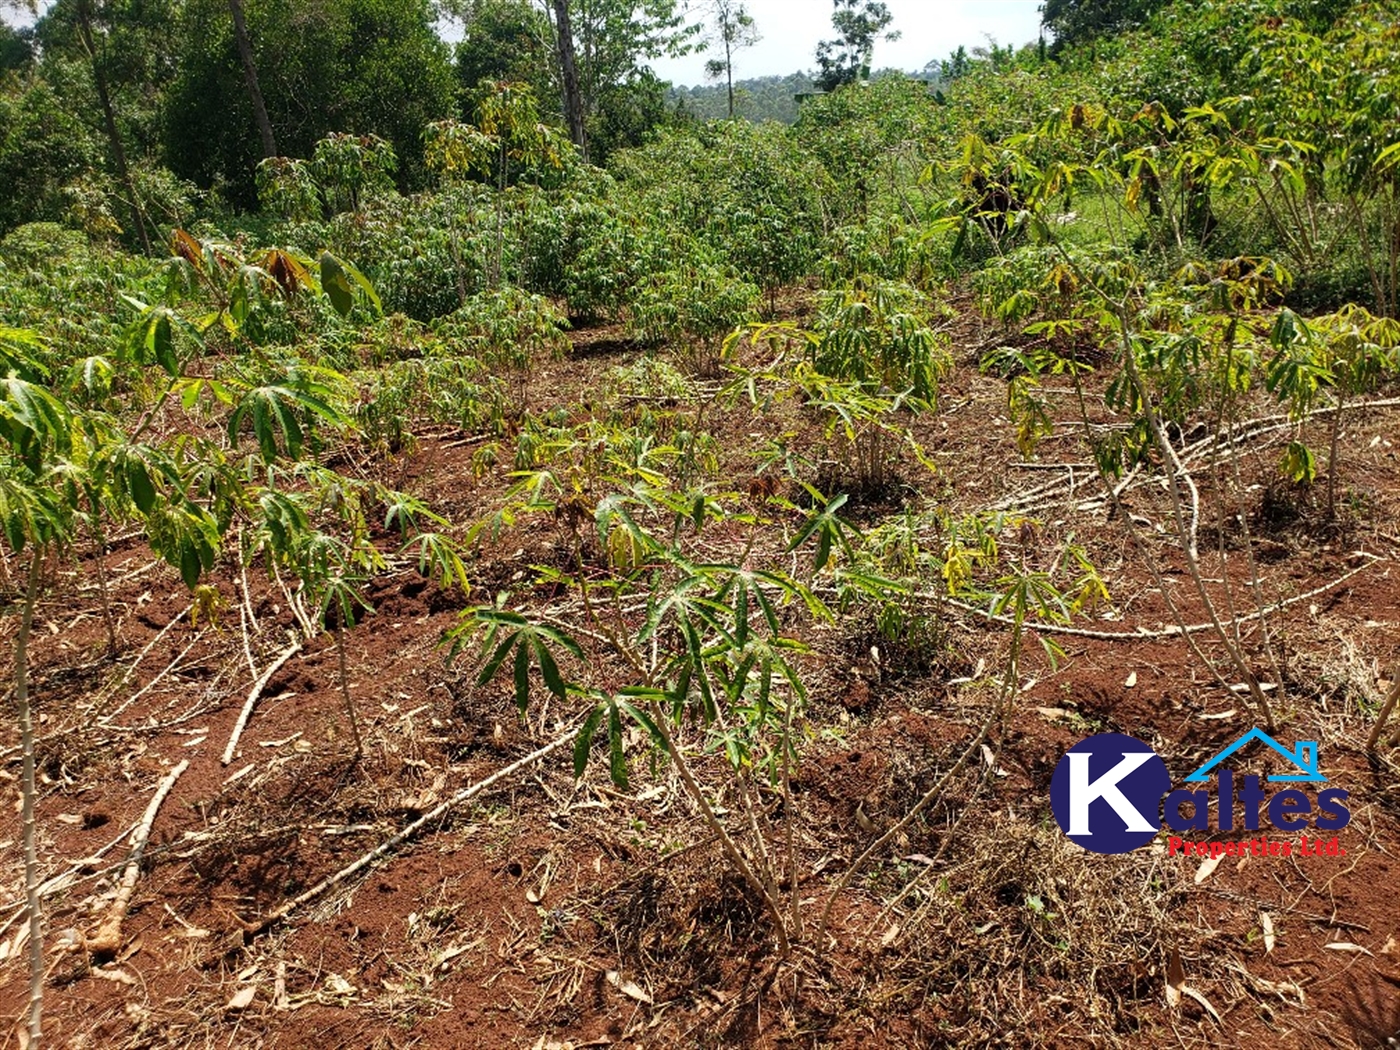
(561, 913)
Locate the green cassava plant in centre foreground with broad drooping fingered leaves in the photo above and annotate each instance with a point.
(710, 652)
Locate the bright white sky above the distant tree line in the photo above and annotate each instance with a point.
(930, 30)
